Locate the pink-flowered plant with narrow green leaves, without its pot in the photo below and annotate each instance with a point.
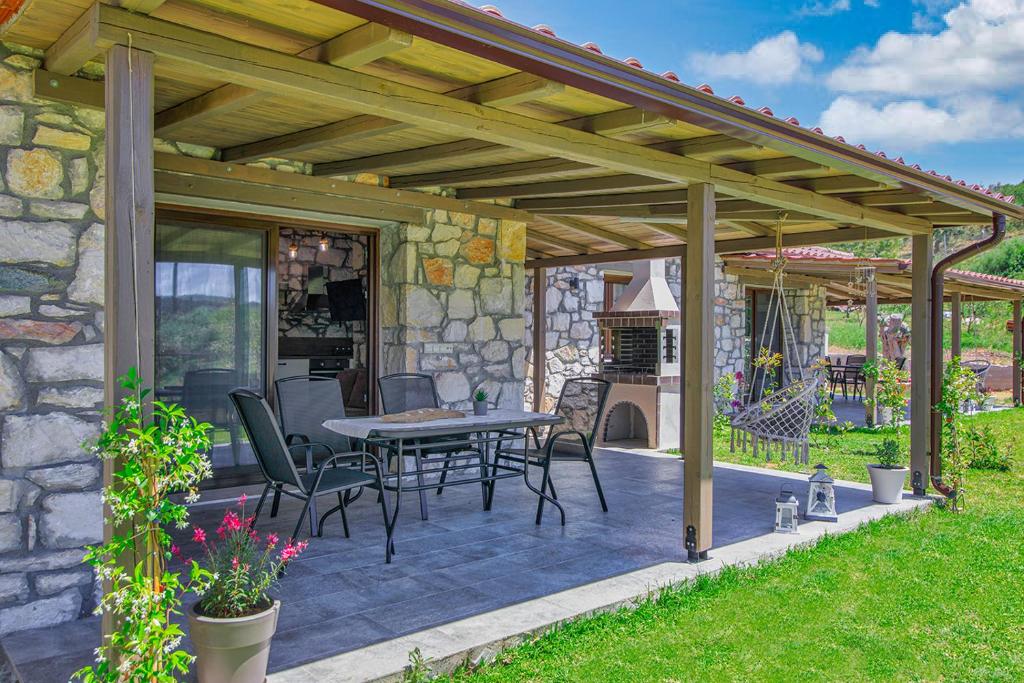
(245, 567)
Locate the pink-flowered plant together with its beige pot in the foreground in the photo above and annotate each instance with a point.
(233, 624)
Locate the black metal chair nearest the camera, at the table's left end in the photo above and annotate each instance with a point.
(276, 462)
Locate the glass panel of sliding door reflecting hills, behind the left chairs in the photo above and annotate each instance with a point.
(211, 328)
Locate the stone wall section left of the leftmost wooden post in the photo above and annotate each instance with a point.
(52, 357)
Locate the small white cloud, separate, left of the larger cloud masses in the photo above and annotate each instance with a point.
(781, 59)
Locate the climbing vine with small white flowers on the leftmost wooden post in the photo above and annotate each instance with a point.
(157, 450)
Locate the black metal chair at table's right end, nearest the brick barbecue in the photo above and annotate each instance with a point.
(582, 404)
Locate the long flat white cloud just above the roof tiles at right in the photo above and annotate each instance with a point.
(914, 123)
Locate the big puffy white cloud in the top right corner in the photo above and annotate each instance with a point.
(979, 50)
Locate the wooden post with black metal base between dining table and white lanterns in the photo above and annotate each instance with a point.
(697, 401)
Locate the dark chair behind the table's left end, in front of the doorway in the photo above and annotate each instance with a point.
(304, 405)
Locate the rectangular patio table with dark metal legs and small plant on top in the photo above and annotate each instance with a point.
(472, 433)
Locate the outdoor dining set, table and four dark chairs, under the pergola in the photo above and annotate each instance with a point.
(310, 448)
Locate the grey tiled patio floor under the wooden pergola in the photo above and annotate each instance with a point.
(340, 595)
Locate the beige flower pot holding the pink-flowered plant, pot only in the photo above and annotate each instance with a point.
(233, 651)
